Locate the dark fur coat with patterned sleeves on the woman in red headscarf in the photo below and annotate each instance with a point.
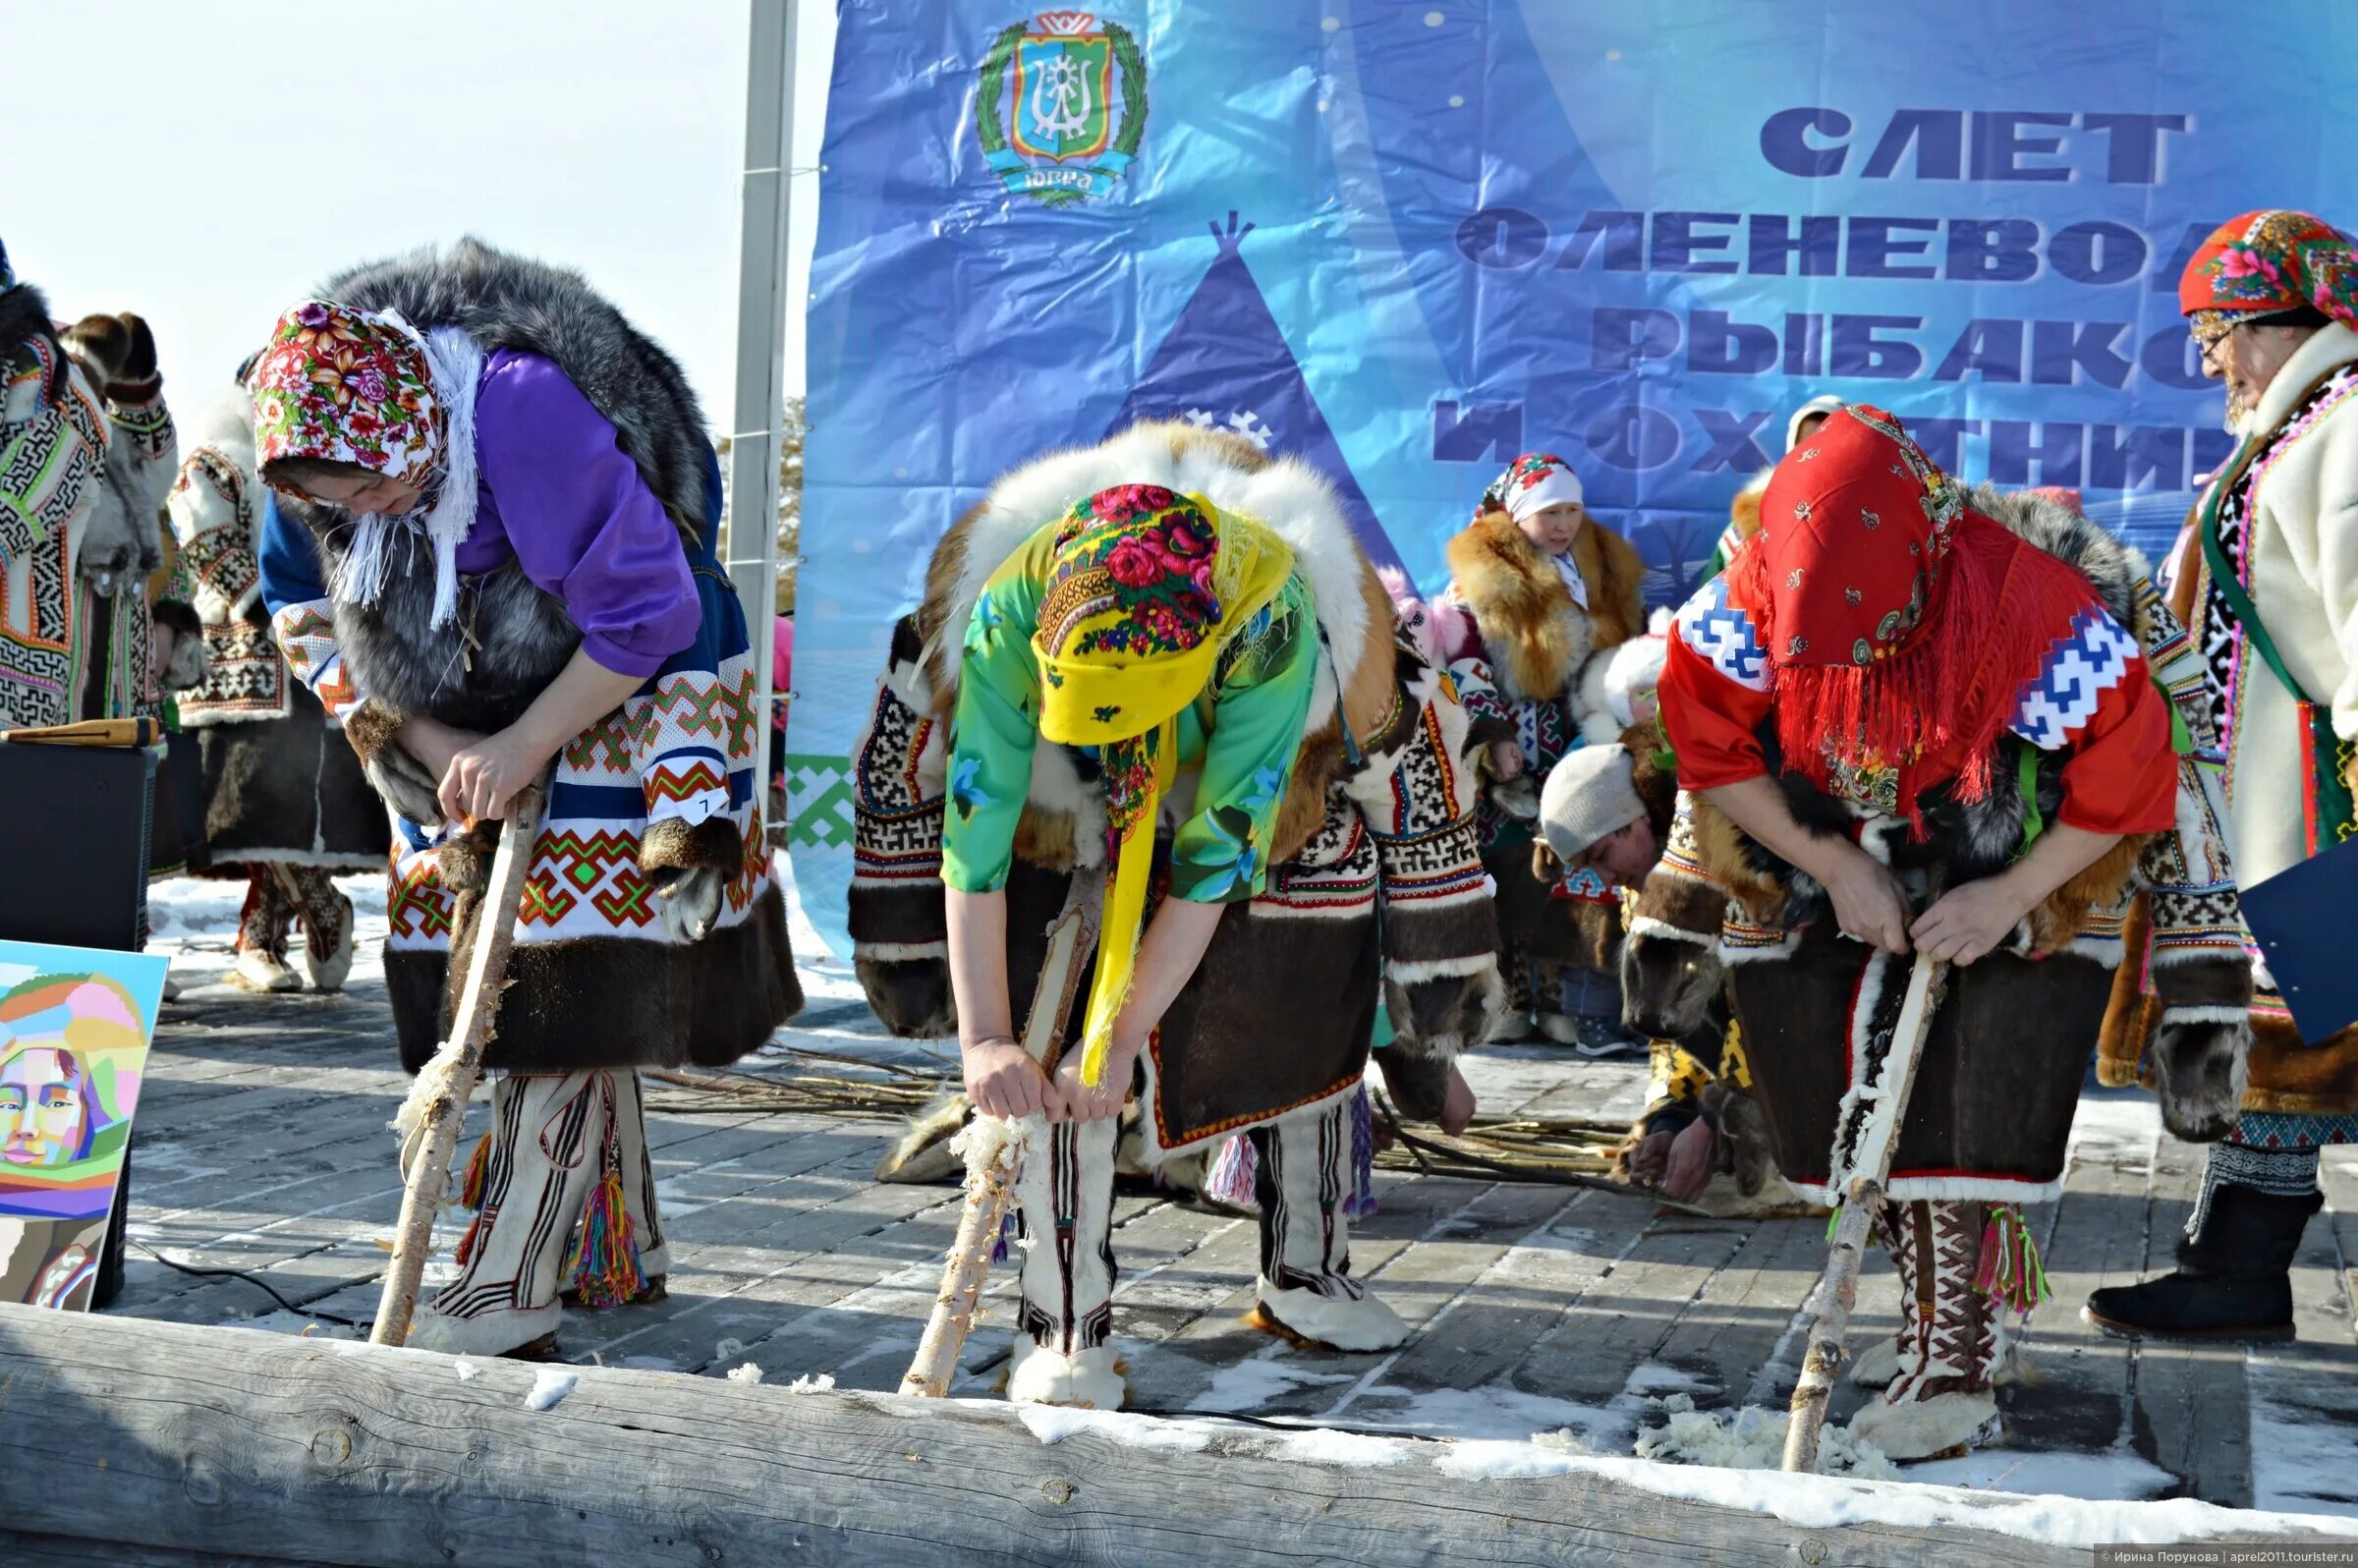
(1720, 907)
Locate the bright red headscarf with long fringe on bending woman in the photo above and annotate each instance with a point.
(1899, 624)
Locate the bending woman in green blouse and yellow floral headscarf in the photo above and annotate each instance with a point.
(1187, 680)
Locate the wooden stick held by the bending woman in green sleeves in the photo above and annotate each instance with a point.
(996, 1147)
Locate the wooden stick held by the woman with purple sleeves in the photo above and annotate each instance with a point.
(447, 1083)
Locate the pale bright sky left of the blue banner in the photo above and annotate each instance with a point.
(209, 164)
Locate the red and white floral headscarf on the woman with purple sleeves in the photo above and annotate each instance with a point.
(348, 388)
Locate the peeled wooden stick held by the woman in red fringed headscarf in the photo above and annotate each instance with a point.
(1869, 1171)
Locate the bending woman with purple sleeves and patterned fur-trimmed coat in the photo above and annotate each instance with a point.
(489, 551)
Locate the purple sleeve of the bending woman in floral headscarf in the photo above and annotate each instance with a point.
(581, 520)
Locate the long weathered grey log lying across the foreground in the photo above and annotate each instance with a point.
(178, 1439)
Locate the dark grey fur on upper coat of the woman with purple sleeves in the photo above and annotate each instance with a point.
(525, 635)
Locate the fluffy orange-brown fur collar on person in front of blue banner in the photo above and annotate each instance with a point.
(1536, 640)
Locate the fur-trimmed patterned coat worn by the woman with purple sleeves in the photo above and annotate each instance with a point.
(652, 930)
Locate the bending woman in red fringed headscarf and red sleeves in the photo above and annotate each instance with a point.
(1888, 685)
